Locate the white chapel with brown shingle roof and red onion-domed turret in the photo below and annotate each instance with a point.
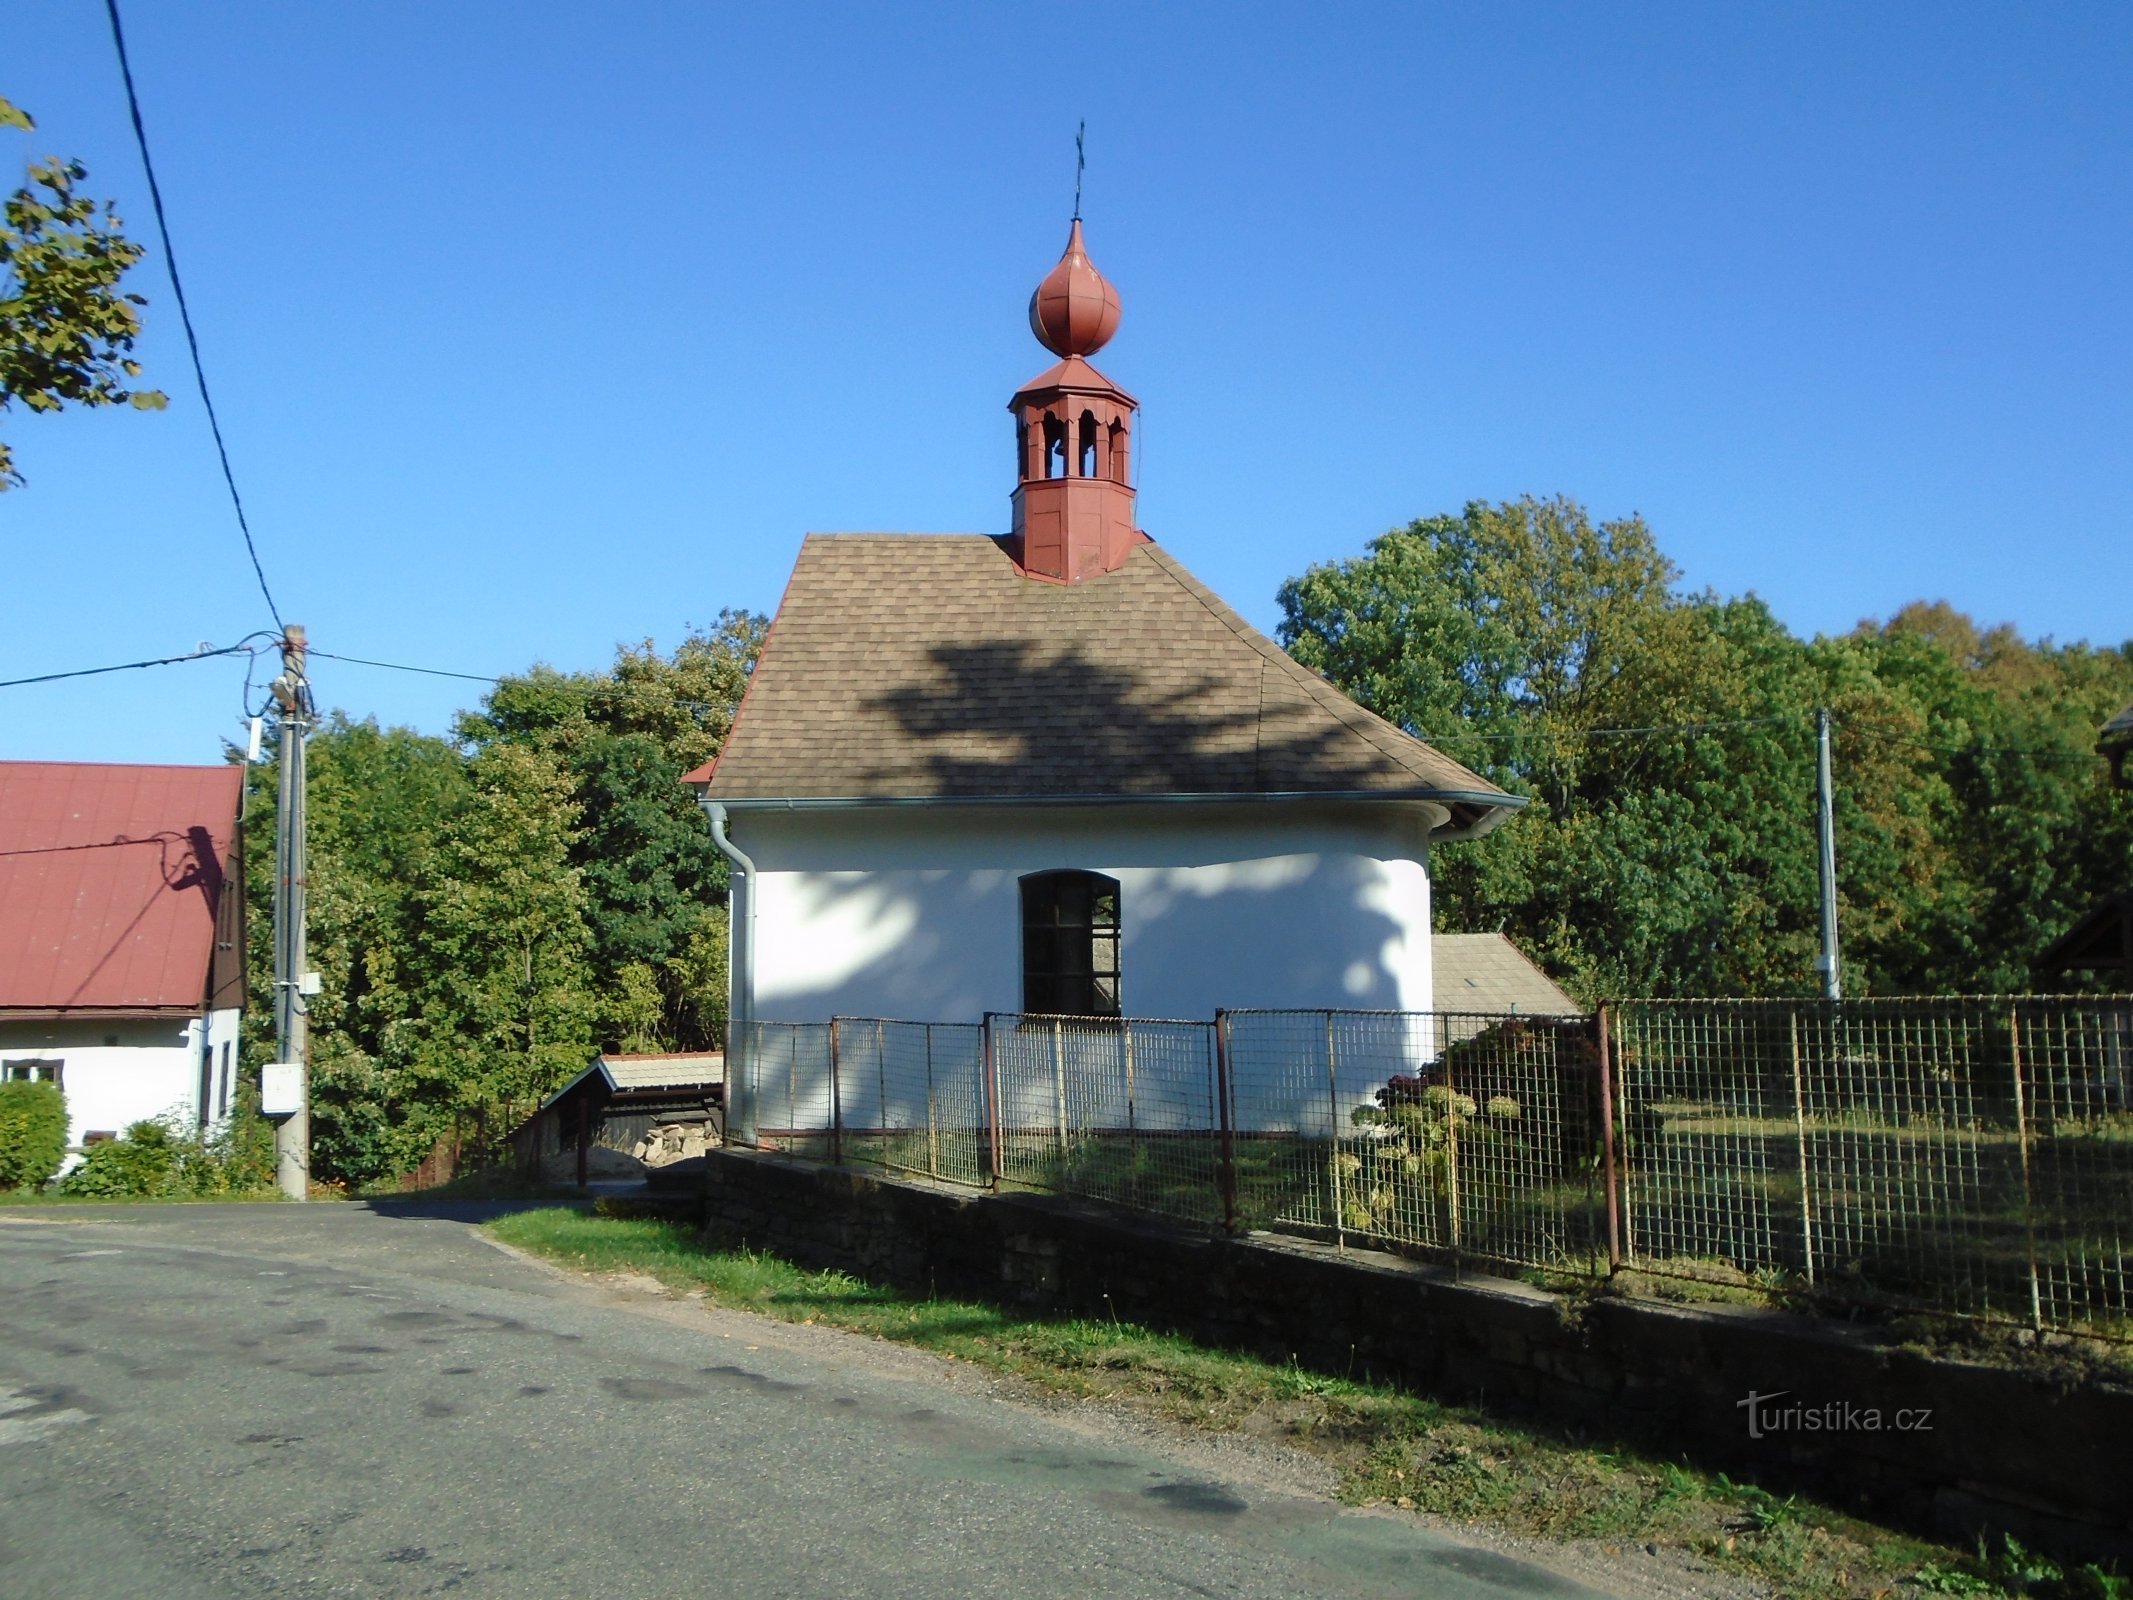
(1053, 773)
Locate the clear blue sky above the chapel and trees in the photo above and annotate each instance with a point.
(541, 327)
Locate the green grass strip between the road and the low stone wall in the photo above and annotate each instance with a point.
(1390, 1447)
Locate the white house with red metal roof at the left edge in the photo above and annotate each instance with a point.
(123, 953)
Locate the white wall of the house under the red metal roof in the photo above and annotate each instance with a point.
(123, 1072)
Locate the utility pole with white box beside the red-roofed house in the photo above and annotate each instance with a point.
(291, 1095)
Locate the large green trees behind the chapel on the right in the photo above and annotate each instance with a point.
(1667, 748)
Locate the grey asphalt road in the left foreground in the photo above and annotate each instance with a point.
(327, 1401)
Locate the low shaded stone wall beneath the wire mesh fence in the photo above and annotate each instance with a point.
(1998, 1450)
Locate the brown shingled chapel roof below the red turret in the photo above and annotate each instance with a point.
(925, 667)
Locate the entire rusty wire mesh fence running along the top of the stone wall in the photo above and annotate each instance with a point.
(1951, 1155)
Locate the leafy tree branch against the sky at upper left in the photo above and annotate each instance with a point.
(65, 325)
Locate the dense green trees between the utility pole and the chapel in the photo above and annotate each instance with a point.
(492, 910)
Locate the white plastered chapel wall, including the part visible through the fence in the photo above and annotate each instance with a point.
(918, 916)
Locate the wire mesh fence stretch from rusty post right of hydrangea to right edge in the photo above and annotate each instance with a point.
(1957, 1155)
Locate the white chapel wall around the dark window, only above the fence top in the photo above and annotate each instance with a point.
(916, 914)
